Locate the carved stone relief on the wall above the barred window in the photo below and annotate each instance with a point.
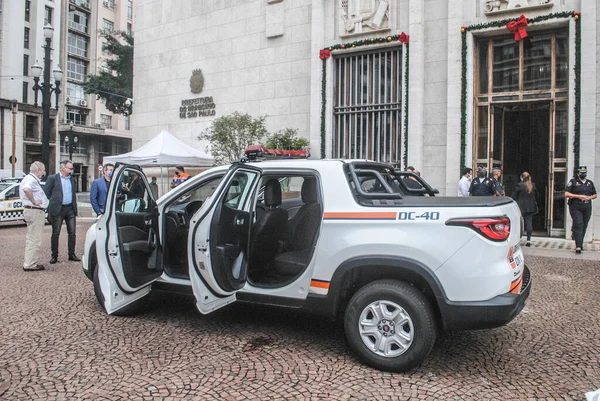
(363, 16)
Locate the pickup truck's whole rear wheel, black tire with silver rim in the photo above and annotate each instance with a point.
(390, 325)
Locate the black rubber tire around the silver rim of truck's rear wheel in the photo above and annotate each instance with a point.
(415, 305)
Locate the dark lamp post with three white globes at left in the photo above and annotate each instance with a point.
(47, 89)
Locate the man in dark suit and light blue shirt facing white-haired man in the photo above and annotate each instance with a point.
(60, 190)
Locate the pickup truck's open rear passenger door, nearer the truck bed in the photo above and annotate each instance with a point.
(219, 238)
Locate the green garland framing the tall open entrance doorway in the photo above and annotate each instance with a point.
(502, 23)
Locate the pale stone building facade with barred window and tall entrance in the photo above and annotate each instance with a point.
(433, 84)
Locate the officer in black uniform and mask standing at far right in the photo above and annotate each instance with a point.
(580, 191)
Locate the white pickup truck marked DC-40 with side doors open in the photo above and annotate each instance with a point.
(339, 237)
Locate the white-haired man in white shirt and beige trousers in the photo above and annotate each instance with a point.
(34, 202)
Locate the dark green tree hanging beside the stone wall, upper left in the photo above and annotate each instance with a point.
(115, 83)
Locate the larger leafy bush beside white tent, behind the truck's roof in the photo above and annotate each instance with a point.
(229, 135)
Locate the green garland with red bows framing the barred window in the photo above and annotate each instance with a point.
(324, 54)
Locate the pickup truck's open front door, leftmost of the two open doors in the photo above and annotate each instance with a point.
(128, 243)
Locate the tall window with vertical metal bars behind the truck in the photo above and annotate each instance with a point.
(367, 112)
